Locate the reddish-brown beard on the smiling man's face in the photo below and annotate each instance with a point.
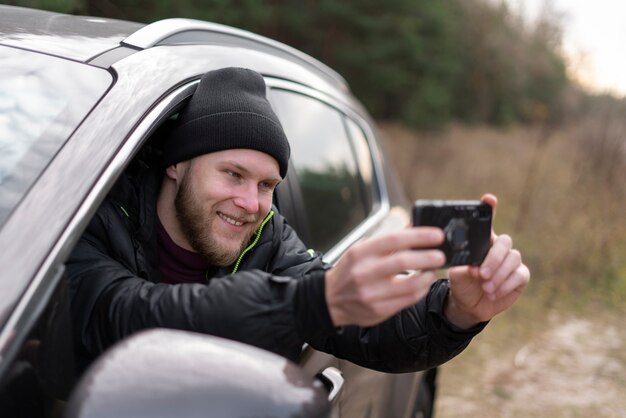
(197, 223)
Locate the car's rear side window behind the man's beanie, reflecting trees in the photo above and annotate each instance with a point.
(332, 171)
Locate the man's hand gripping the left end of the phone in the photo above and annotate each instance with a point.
(369, 283)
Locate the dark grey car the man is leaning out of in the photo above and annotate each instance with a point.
(80, 97)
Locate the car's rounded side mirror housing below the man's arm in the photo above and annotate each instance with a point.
(167, 373)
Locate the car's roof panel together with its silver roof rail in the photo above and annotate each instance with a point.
(88, 39)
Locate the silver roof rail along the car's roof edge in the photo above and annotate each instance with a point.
(190, 31)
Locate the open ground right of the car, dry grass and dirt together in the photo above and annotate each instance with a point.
(561, 351)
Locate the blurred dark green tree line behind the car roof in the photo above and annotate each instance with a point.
(424, 63)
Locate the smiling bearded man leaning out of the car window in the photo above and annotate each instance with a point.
(197, 246)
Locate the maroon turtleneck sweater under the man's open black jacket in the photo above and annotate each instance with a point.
(178, 265)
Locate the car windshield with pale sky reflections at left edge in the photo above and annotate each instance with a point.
(42, 101)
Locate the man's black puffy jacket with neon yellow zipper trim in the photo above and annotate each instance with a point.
(274, 301)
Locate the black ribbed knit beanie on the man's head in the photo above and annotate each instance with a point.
(228, 110)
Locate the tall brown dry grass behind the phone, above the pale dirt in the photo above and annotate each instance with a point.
(564, 216)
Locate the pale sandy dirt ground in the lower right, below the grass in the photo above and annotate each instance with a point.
(572, 366)
